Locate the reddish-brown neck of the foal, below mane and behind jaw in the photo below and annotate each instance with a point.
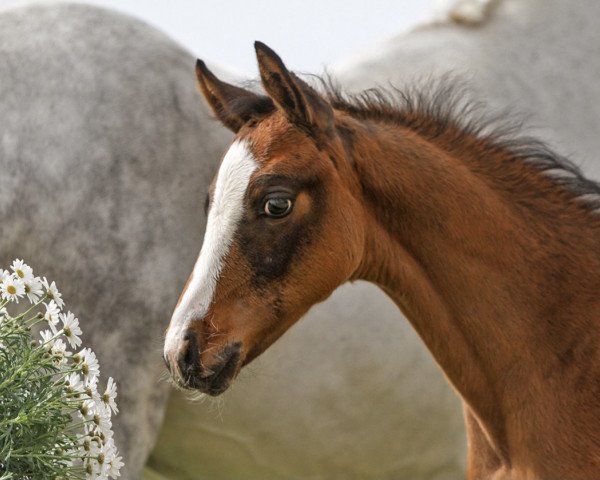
(494, 289)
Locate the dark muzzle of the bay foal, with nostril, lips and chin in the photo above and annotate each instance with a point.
(191, 373)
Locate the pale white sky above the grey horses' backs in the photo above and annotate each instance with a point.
(340, 30)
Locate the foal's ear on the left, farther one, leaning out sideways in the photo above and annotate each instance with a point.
(232, 105)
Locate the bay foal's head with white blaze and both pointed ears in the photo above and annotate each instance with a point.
(284, 226)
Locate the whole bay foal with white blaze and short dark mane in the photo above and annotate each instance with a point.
(490, 247)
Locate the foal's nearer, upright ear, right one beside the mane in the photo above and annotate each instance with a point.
(303, 105)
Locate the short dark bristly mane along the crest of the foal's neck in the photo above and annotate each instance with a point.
(442, 109)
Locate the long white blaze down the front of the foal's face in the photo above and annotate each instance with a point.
(225, 213)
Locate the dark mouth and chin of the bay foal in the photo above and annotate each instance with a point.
(213, 380)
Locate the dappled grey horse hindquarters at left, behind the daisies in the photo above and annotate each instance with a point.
(104, 159)
